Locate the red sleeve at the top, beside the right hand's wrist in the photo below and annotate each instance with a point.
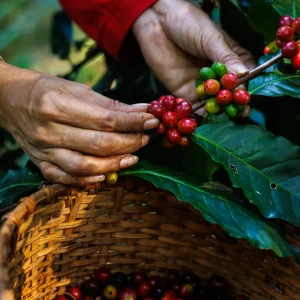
(108, 22)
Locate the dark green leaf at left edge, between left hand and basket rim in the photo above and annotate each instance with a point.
(15, 184)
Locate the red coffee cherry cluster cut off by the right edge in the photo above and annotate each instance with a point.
(287, 39)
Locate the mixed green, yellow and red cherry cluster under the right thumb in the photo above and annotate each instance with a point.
(219, 88)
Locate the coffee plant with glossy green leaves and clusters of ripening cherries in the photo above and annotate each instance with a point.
(240, 170)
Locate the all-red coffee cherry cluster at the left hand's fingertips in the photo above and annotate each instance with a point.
(176, 121)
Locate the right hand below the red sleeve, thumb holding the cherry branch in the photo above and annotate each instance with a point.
(177, 39)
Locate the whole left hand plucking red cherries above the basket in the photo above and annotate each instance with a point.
(71, 133)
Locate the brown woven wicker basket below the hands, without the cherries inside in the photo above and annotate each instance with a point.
(59, 236)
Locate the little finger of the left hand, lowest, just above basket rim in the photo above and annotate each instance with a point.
(53, 173)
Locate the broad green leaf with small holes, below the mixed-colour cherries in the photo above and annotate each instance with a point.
(264, 166)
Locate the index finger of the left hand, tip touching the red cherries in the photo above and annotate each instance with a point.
(73, 111)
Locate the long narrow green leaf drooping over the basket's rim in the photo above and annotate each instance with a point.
(219, 205)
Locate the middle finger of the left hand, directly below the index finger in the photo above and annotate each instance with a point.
(92, 142)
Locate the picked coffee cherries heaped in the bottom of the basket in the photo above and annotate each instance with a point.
(140, 286)
